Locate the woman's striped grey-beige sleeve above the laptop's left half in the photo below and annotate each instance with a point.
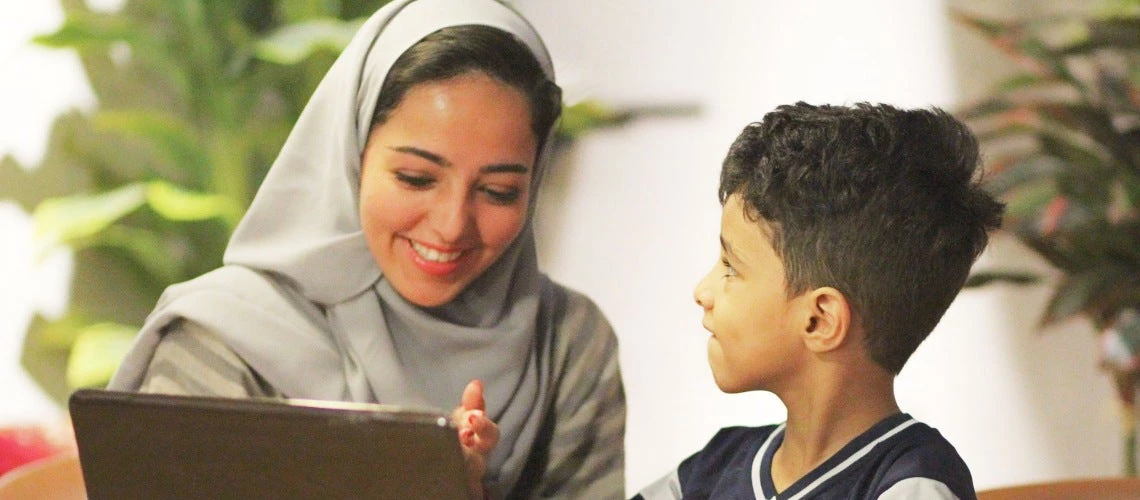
(192, 360)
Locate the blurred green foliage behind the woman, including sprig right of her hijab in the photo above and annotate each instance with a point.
(194, 101)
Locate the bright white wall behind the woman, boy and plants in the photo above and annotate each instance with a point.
(631, 218)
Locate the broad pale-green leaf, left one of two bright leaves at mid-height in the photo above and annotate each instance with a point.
(70, 219)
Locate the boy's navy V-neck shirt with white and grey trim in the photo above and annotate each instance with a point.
(898, 458)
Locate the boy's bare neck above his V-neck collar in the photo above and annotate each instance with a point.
(826, 415)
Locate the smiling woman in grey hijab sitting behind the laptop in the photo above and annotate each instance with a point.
(389, 258)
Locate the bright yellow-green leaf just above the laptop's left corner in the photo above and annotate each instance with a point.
(97, 353)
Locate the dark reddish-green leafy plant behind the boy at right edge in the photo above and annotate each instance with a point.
(1063, 142)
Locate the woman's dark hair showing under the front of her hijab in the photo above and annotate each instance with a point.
(455, 51)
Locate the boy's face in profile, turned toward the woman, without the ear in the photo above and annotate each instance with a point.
(755, 342)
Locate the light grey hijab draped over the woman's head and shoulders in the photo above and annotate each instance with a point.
(303, 301)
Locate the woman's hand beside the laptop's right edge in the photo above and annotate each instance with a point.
(478, 436)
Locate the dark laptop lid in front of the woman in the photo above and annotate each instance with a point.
(156, 446)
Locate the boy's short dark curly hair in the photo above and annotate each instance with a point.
(877, 202)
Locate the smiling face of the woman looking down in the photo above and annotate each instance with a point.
(445, 185)
